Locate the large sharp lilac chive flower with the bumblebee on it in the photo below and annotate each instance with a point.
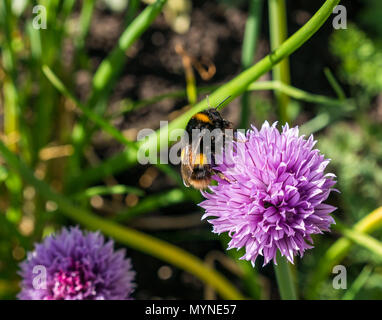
(275, 193)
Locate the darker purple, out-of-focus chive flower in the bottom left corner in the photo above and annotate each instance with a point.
(76, 265)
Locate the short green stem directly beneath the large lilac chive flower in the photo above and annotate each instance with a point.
(284, 278)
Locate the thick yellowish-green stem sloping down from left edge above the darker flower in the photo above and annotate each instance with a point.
(130, 237)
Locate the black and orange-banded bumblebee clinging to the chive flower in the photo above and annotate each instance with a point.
(196, 165)
